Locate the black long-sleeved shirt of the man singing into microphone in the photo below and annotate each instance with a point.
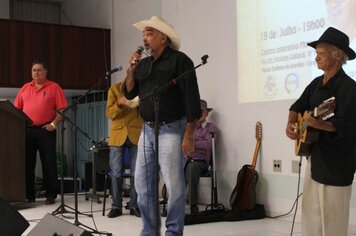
(176, 100)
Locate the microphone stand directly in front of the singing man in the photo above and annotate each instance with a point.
(155, 95)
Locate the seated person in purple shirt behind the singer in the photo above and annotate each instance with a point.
(198, 161)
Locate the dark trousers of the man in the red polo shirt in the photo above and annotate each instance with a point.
(39, 139)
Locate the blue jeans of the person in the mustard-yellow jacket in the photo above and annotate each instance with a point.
(117, 168)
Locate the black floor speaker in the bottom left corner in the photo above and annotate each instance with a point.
(11, 221)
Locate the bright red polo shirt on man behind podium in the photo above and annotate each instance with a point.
(40, 105)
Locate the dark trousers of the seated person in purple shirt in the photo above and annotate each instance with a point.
(193, 170)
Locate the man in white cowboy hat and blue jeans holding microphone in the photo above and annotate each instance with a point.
(179, 108)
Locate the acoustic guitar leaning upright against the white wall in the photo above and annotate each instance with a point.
(243, 196)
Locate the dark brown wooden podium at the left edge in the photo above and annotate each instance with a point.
(12, 152)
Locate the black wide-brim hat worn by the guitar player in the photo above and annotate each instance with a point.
(336, 38)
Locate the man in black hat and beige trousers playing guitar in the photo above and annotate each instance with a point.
(332, 162)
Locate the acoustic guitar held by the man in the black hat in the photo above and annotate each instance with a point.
(309, 135)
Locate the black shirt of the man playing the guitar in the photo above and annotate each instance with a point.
(333, 156)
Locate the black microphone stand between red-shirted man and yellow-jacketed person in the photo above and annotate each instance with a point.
(76, 128)
